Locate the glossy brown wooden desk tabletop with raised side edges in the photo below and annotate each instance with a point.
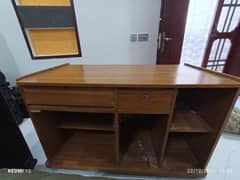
(154, 76)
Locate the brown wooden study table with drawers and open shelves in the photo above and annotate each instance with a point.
(145, 119)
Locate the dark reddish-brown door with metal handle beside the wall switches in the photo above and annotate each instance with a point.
(171, 31)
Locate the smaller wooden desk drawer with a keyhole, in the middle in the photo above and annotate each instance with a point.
(145, 101)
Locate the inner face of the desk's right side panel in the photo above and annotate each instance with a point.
(215, 107)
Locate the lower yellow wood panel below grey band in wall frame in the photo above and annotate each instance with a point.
(53, 41)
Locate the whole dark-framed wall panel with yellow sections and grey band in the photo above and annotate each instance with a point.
(47, 40)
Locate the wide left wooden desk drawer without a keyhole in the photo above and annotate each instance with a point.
(69, 96)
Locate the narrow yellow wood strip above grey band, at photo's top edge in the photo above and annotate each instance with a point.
(45, 2)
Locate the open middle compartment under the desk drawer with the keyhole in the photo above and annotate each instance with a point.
(142, 139)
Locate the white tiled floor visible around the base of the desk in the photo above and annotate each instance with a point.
(224, 164)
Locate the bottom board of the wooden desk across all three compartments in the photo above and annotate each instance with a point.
(95, 151)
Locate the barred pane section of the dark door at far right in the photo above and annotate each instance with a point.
(223, 30)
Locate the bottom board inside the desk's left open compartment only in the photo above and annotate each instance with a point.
(86, 148)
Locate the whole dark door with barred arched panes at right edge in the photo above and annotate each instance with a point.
(223, 47)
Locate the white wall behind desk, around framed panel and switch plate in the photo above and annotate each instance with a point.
(104, 29)
